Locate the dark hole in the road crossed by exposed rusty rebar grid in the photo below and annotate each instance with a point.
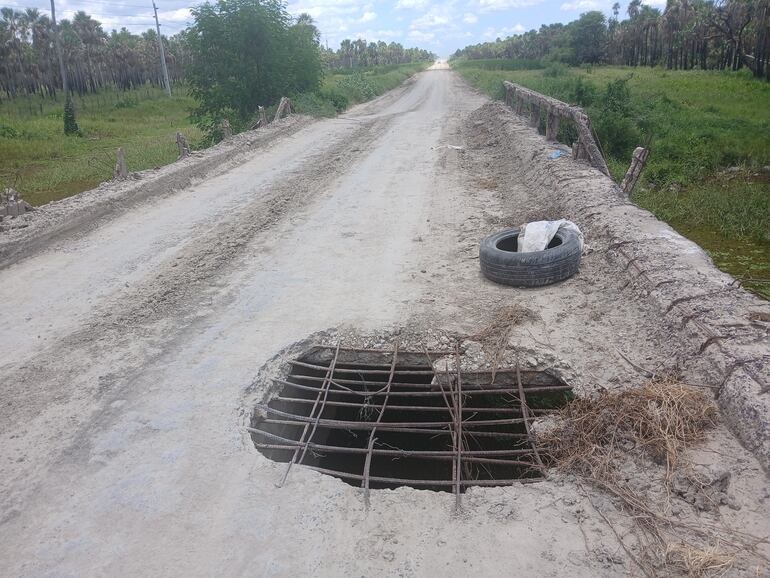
(384, 419)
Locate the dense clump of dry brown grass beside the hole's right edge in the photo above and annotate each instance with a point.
(661, 419)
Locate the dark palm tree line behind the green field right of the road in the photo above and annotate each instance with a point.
(686, 34)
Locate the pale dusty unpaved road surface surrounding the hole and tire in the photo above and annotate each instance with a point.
(130, 349)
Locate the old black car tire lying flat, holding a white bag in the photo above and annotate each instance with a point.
(501, 263)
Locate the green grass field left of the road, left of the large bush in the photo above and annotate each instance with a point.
(44, 165)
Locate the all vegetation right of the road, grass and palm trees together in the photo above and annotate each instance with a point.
(690, 82)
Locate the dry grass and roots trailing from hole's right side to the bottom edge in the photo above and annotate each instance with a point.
(591, 437)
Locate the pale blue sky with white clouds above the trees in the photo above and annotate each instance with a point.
(438, 25)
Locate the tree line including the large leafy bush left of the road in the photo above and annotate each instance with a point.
(95, 59)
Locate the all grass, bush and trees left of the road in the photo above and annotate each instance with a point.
(238, 55)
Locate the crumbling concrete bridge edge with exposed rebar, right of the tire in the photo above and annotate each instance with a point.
(713, 314)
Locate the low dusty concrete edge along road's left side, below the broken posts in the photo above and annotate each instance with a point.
(56, 220)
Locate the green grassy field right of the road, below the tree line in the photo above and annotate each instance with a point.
(701, 123)
